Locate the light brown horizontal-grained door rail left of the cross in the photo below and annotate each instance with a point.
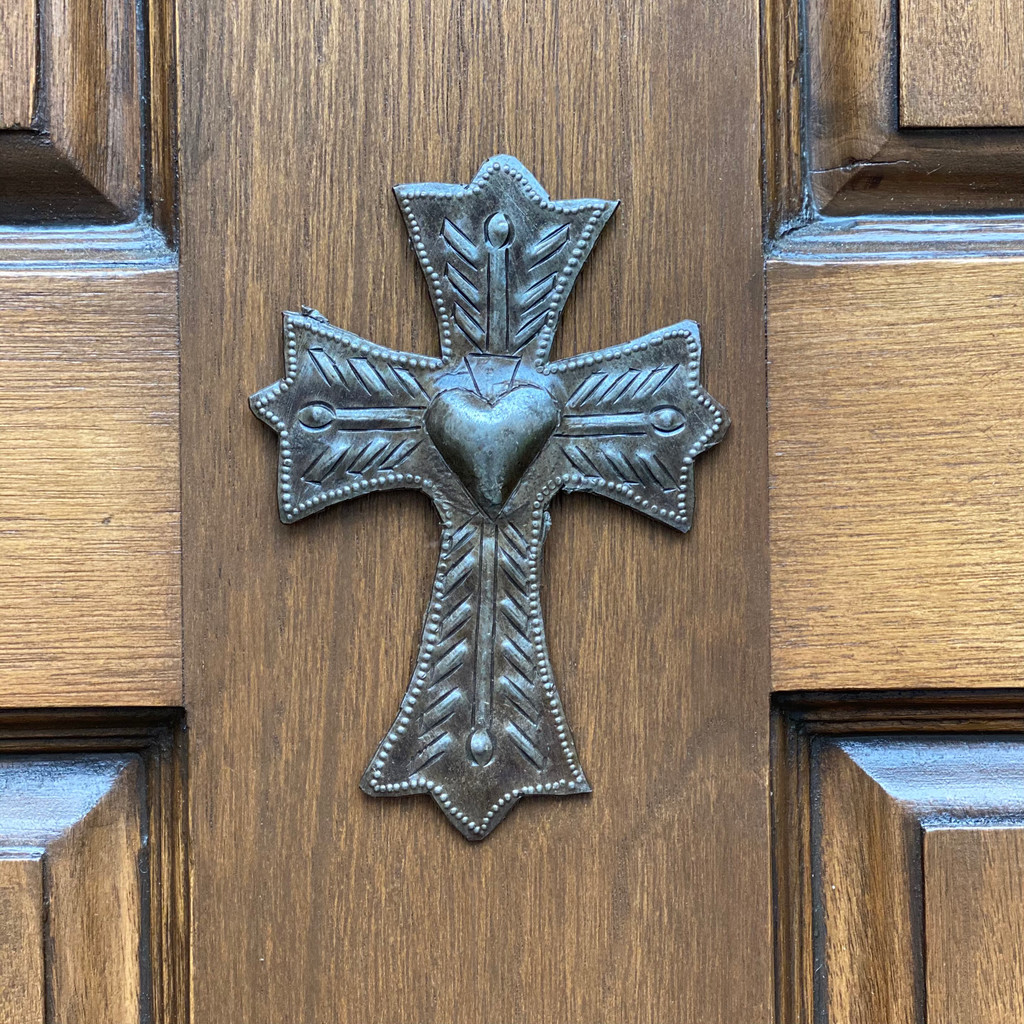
(90, 489)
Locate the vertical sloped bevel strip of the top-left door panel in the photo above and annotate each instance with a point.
(92, 74)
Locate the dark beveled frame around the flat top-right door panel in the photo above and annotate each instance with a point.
(850, 158)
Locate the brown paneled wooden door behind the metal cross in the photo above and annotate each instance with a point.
(801, 720)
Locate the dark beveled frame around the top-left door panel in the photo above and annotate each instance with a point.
(100, 151)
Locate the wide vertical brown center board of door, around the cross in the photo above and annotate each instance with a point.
(313, 902)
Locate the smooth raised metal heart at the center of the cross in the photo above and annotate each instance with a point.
(490, 445)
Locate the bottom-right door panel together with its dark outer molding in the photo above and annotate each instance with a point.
(900, 852)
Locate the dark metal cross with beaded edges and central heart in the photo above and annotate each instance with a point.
(492, 432)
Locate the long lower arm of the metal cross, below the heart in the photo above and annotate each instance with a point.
(483, 688)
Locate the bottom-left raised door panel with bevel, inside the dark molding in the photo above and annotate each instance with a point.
(75, 826)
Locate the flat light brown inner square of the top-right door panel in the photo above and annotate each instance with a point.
(961, 66)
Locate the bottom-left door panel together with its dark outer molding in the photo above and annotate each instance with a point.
(97, 799)
